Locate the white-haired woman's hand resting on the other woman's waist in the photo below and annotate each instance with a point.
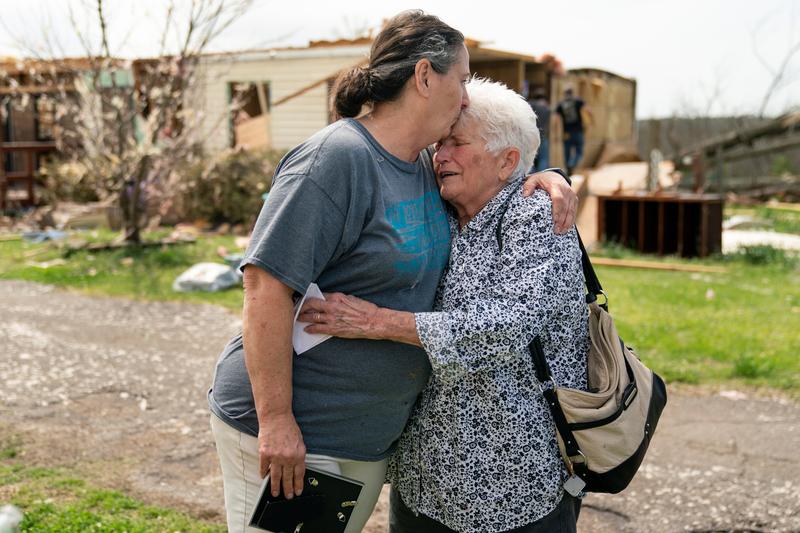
(340, 315)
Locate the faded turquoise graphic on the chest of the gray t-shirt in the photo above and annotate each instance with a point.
(424, 233)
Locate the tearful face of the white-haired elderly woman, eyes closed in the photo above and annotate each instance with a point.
(468, 175)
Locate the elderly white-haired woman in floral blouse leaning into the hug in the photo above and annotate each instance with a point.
(480, 454)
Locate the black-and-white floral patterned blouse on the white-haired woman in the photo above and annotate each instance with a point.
(479, 453)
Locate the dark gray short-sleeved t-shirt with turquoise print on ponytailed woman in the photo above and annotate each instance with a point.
(346, 214)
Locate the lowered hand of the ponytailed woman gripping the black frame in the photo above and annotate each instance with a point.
(282, 455)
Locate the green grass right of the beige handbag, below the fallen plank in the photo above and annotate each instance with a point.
(743, 325)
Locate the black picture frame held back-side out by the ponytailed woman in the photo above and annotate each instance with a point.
(324, 507)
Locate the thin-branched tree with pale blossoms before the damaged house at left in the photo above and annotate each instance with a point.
(132, 124)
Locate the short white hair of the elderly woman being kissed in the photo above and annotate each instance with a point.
(504, 120)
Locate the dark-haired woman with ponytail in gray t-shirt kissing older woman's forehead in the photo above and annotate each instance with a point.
(354, 209)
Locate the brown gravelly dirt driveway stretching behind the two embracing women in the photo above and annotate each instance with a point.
(116, 390)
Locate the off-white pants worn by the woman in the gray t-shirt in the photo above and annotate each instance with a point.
(238, 458)
